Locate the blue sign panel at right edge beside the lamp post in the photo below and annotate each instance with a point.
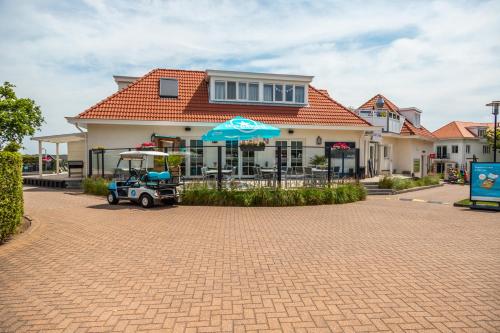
(485, 182)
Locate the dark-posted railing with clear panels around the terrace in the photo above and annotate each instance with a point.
(231, 165)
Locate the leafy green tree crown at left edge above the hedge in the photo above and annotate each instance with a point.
(19, 117)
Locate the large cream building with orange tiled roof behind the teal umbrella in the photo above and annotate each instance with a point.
(167, 105)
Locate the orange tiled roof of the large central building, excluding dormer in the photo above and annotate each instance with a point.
(141, 101)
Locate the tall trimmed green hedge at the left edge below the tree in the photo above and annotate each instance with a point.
(11, 193)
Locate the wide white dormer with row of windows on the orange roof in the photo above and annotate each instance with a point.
(232, 87)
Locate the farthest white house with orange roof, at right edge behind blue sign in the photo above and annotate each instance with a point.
(459, 142)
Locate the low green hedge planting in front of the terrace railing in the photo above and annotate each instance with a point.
(200, 195)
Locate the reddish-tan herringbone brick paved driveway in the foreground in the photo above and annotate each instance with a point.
(379, 265)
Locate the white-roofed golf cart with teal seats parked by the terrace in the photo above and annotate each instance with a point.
(143, 177)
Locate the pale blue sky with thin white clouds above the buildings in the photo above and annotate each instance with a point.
(440, 56)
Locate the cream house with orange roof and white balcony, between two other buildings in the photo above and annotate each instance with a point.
(404, 144)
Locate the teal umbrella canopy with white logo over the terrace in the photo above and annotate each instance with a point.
(240, 128)
